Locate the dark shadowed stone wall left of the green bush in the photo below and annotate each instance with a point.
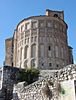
(8, 80)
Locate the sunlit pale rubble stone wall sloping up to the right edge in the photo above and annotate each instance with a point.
(47, 88)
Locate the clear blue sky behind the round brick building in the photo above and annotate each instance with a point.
(13, 11)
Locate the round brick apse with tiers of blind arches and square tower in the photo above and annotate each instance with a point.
(40, 42)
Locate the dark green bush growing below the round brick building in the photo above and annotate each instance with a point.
(28, 75)
